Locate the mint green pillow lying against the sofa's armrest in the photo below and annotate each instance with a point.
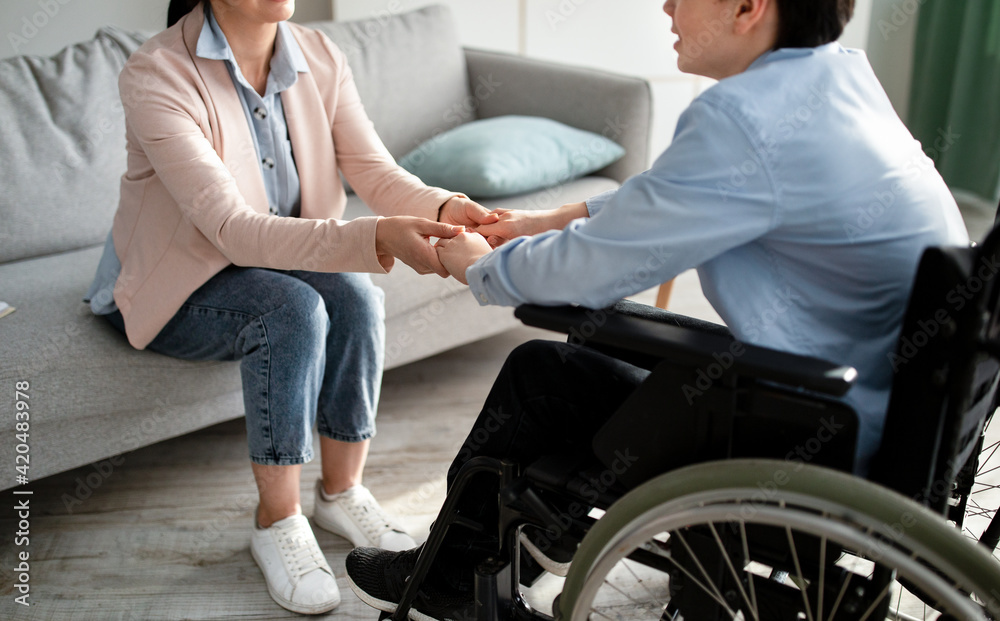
(509, 155)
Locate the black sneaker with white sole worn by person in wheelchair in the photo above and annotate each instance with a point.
(378, 577)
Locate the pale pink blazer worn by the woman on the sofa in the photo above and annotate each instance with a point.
(193, 200)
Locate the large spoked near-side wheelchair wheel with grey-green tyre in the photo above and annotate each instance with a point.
(774, 541)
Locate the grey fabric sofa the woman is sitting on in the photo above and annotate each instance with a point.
(91, 395)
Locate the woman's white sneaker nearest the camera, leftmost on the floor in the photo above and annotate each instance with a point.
(297, 574)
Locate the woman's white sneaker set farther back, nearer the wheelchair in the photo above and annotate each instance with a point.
(354, 514)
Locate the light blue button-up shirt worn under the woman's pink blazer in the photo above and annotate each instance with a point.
(266, 118)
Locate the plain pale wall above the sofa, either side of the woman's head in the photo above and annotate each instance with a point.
(44, 27)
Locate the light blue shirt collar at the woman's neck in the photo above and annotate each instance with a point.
(287, 62)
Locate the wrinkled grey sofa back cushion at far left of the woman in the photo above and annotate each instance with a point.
(62, 143)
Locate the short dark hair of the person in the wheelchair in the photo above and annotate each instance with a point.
(811, 23)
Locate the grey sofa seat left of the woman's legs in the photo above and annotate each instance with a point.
(91, 394)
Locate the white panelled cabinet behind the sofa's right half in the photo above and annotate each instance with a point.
(625, 36)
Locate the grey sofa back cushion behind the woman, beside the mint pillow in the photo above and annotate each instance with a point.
(410, 71)
